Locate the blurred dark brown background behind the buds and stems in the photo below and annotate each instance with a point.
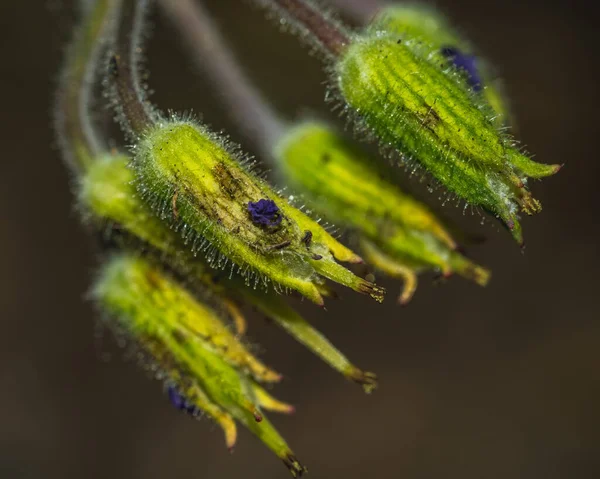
(498, 382)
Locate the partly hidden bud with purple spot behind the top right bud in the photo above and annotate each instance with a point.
(430, 26)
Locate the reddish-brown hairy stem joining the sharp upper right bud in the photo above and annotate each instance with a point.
(328, 34)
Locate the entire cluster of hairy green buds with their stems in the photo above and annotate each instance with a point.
(190, 230)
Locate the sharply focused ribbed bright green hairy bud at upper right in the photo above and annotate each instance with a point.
(402, 91)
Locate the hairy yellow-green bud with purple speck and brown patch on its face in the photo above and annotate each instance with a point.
(195, 184)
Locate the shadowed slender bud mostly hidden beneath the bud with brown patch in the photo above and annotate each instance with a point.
(107, 193)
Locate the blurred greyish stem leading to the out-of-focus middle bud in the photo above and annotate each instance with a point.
(246, 105)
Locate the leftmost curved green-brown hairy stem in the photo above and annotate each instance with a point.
(73, 119)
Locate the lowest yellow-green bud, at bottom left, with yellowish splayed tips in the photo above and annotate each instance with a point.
(182, 336)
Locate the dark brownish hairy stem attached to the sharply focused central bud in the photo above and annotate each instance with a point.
(131, 103)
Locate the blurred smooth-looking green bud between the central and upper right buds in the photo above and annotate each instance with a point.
(398, 234)
